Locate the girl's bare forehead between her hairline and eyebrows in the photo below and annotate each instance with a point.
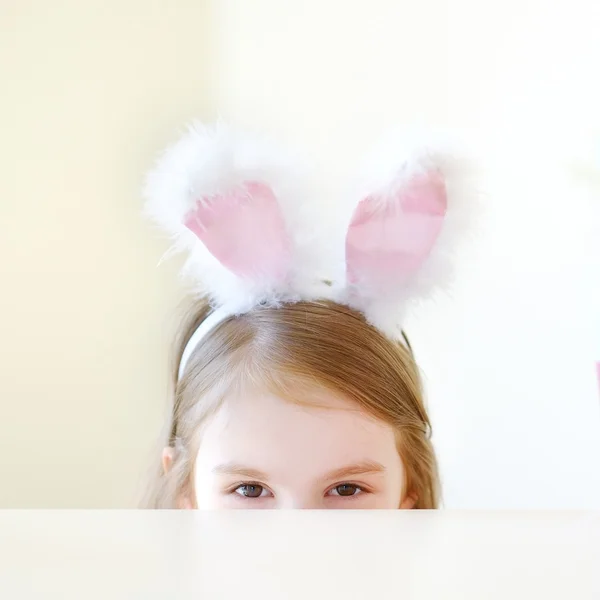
(277, 435)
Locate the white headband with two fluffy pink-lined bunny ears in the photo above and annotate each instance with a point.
(231, 201)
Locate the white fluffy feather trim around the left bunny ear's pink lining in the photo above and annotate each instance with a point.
(208, 160)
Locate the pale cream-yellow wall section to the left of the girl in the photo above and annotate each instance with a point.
(90, 91)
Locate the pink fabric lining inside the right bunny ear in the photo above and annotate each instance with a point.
(390, 238)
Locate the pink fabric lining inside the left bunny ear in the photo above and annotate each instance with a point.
(244, 230)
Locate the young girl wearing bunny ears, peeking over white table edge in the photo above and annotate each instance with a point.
(294, 385)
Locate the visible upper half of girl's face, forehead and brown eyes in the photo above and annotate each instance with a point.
(262, 451)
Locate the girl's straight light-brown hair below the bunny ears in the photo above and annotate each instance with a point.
(316, 343)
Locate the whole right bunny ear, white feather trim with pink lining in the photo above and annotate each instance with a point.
(412, 212)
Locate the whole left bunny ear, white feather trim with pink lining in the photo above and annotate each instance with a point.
(232, 202)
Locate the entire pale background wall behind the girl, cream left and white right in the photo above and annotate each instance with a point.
(92, 89)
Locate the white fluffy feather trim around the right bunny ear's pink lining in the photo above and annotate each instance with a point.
(401, 157)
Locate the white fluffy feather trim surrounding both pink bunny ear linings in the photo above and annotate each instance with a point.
(209, 160)
